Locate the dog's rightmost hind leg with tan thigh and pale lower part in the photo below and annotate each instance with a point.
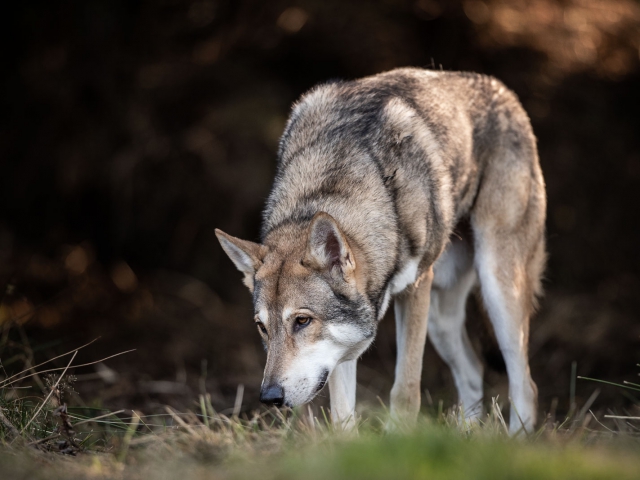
(508, 226)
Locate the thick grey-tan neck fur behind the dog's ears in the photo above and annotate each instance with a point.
(325, 181)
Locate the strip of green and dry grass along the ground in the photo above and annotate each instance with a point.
(40, 437)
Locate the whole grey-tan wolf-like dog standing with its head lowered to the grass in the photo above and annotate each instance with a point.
(414, 186)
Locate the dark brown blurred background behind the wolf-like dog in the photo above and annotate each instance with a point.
(129, 130)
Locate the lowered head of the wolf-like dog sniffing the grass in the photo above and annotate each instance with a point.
(308, 285)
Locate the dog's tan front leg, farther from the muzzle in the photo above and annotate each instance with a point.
(412, 313)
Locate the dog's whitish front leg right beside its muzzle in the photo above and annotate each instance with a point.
(342, 394)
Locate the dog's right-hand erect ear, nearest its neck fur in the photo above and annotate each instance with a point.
(328, 249)
